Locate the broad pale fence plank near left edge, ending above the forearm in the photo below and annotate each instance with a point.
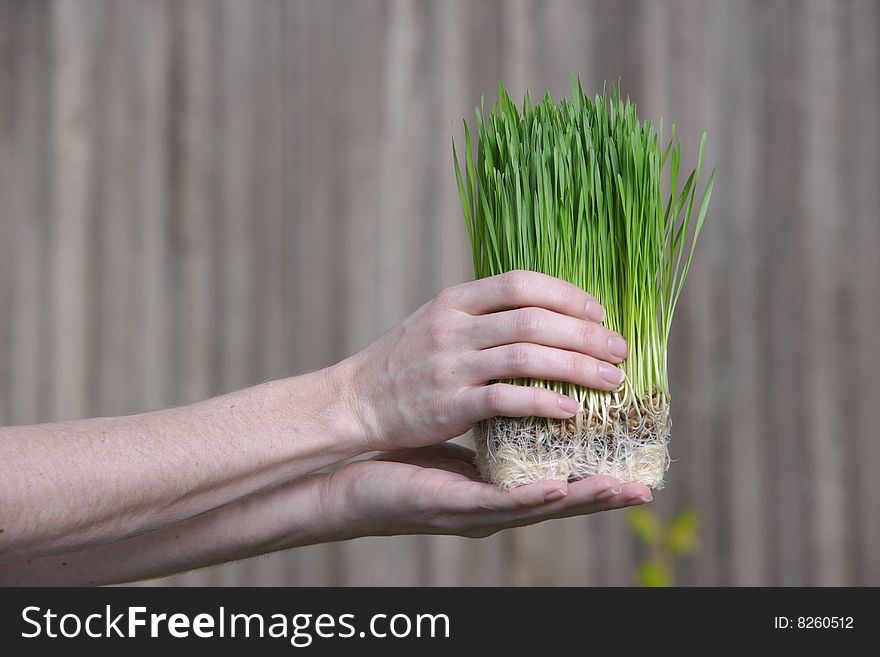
(75, 29)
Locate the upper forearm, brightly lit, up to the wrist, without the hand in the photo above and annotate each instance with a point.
(70, 485)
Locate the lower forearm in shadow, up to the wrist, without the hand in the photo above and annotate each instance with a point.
(293, 514)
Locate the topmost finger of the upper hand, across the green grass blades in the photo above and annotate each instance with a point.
(520, 288)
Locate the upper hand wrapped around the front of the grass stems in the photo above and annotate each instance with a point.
(430, 378)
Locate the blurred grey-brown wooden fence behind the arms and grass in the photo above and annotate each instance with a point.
(196, 196)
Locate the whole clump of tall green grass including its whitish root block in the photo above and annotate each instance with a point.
(573, 189)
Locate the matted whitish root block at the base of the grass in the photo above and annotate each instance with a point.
(630, 445)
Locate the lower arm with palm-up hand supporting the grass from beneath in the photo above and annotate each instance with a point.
(428, 490)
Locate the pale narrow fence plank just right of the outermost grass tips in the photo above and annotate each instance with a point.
(746, 442)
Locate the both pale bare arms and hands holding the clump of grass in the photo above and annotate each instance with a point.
(119, 499)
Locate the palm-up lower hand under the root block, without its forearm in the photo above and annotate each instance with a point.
(437, 490)
